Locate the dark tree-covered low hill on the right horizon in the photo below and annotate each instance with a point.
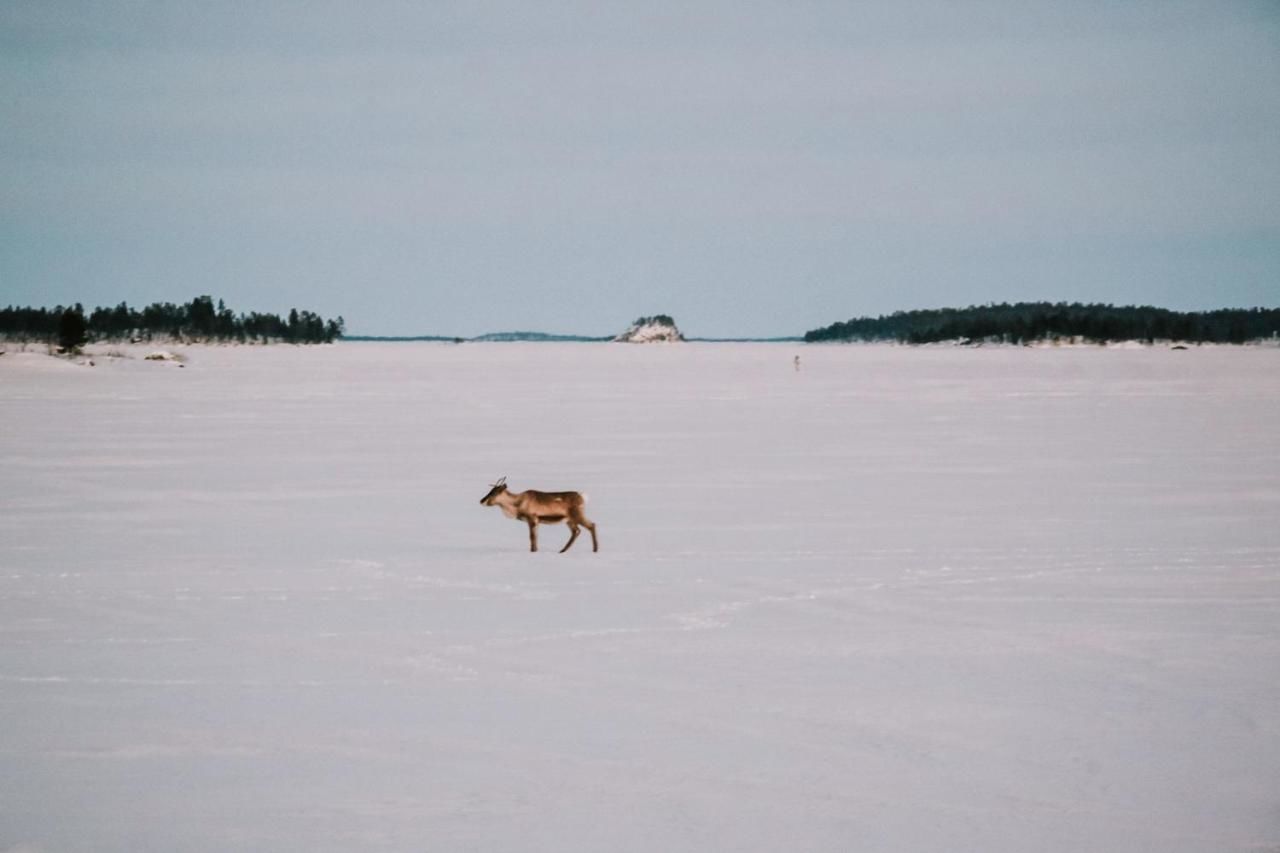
(1032, 322)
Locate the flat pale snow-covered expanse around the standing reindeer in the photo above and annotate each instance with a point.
(902, 600)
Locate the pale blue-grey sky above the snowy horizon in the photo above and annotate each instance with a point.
(749, 168)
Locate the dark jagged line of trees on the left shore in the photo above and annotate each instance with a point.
(196, 321)
